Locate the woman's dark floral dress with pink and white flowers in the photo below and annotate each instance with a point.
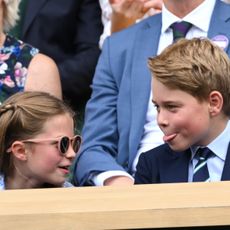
(15, 57)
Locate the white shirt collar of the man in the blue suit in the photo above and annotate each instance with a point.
(200, 17)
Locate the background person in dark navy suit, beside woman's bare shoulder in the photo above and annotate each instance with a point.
(69, 32)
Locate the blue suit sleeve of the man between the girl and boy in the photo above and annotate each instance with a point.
(100, 132)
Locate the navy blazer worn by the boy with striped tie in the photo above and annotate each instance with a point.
(163, 165)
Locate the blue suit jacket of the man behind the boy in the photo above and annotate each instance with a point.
(116, 112)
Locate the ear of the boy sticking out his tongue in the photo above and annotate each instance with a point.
(215, 103)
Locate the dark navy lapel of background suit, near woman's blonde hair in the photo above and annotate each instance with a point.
(33, 7)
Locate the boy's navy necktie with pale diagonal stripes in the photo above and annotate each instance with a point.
(200, 172)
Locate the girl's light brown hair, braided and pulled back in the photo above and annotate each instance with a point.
(22, 116)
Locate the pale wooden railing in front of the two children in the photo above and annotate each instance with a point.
(133, 207)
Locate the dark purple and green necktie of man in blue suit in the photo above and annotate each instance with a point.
(180, 29)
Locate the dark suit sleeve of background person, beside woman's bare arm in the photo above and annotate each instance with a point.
(78, 69)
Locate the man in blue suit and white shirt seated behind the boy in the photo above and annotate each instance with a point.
(120, 118)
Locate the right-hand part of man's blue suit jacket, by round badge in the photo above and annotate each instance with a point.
(220, 23)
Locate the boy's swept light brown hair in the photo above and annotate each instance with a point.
(196, 66)
